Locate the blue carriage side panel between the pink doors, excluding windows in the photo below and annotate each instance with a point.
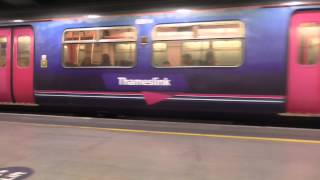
(258, 85)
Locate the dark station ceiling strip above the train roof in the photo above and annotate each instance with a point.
(14, 9)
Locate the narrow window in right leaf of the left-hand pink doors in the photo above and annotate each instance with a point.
(24, 45)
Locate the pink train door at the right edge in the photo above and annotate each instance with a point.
(304, 64)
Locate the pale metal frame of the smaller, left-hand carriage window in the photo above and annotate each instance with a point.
(135, 41)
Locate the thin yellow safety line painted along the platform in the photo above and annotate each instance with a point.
(177, 133)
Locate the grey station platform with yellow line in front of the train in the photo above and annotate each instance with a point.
(84, 148)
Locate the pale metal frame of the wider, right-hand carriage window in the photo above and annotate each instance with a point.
(242, 38)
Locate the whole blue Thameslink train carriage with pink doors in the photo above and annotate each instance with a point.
(247, 59)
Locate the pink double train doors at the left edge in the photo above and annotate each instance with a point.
(16, 73)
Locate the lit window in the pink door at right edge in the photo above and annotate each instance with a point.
(310, 44)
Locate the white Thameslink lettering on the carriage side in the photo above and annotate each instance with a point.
(155, 81)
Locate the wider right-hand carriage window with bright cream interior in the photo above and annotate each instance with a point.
(198, 44)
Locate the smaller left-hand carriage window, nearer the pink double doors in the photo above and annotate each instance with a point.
(100, 47)
